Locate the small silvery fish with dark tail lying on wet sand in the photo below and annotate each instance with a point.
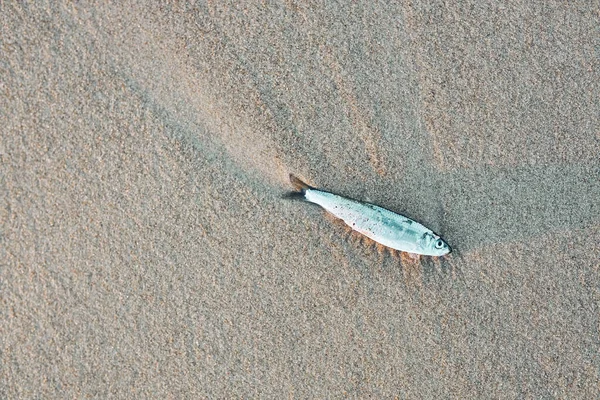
(377, 223)
